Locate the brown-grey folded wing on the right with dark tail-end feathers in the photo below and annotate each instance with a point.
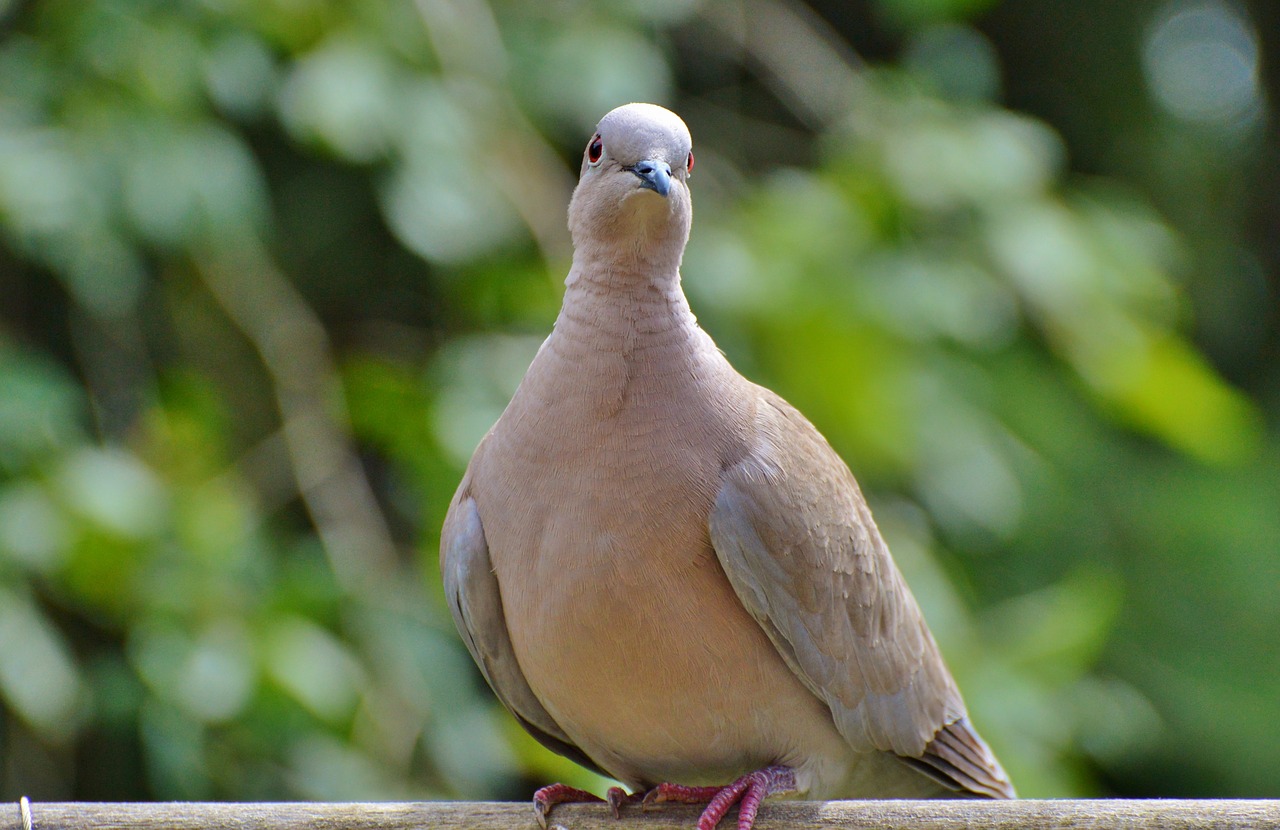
(799, 546)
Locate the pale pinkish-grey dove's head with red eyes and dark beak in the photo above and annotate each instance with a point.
(633, 195)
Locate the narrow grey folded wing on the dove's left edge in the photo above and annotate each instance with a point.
(476, 600)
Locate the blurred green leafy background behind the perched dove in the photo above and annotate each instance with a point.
(271, 268)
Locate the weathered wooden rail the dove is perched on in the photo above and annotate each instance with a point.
(847, 815)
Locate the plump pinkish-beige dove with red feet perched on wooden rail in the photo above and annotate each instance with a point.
(664, 571)
